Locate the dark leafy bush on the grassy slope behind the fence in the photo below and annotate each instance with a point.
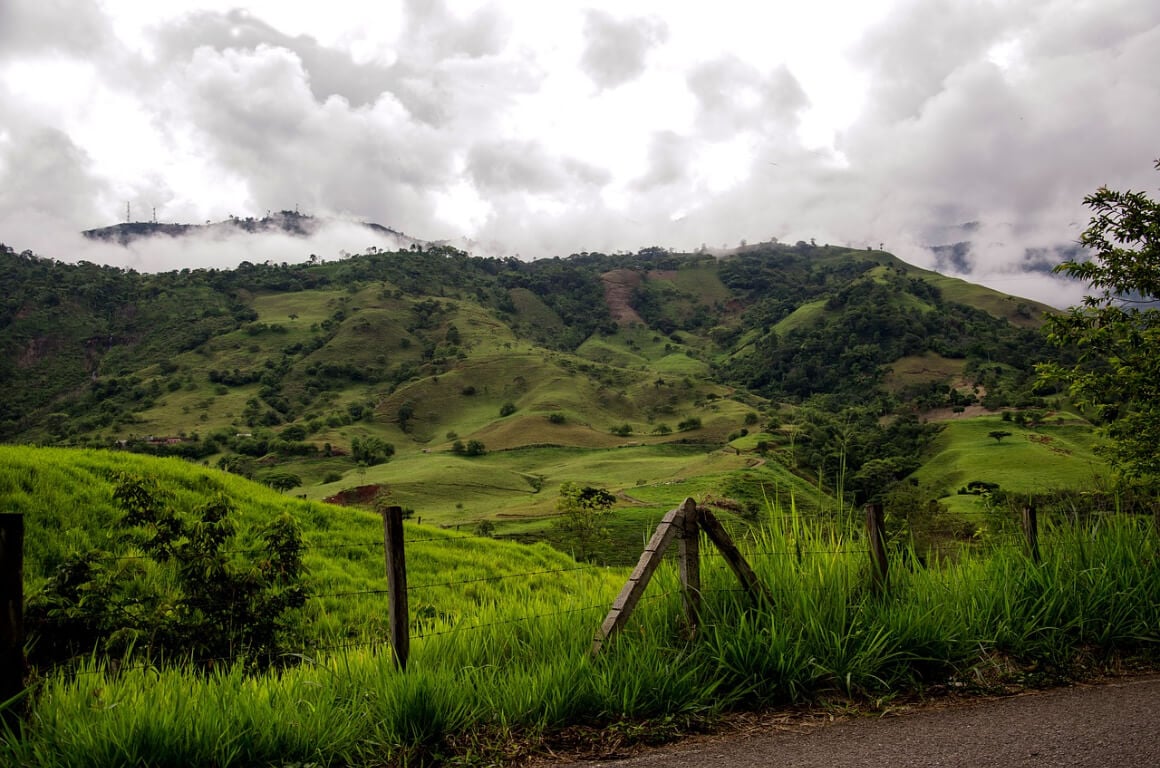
(188, 598)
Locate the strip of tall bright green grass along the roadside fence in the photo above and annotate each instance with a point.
(520, 669)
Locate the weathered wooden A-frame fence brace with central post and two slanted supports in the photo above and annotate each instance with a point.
(686, 524)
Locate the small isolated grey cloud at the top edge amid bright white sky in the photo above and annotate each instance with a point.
(615, 50)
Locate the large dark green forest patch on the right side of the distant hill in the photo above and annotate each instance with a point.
(872, 317)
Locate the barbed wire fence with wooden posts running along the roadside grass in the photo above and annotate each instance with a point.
(685, 525)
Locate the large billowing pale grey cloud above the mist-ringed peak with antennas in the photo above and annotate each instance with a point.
(259, 119)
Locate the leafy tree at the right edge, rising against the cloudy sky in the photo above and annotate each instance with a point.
(1115, 332)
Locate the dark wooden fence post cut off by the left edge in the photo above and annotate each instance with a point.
(12, 614)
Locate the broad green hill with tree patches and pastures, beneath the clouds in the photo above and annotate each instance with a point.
(778, 367)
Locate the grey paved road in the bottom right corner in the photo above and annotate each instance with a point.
(1091, 727)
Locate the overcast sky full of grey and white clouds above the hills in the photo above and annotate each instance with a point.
(541, 128)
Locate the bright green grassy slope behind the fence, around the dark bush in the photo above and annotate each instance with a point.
(67, 499)
